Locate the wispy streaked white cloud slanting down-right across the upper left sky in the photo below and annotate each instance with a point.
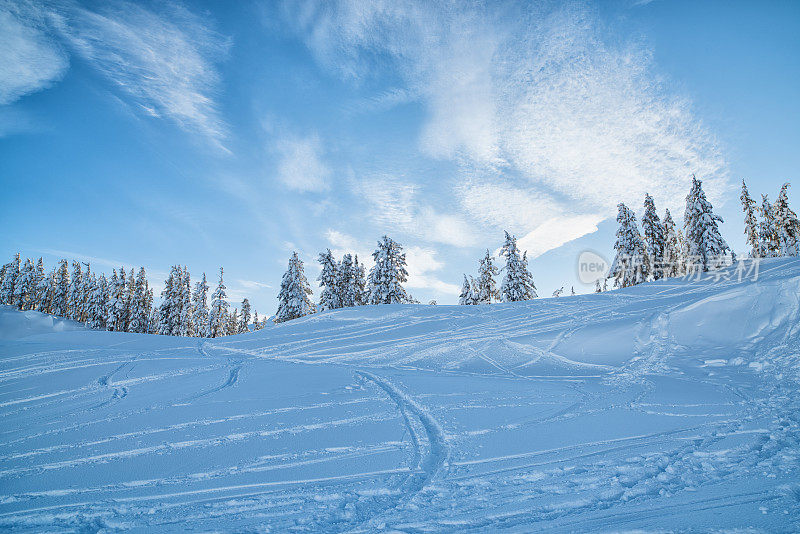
(164, 61)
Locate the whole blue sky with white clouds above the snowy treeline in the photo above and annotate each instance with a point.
(231, 133)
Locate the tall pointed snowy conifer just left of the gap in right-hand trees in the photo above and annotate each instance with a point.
(701, 229)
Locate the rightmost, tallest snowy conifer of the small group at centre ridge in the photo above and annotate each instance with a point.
(387, 276)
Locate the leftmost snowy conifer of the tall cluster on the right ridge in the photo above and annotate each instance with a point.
(630, 266)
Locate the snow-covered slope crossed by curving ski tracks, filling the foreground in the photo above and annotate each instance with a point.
(670, 406)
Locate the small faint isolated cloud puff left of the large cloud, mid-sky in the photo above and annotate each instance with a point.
(301, 166)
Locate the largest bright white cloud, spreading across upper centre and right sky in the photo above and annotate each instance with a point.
(540, 104)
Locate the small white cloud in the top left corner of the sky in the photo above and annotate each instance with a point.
(30, 60)
